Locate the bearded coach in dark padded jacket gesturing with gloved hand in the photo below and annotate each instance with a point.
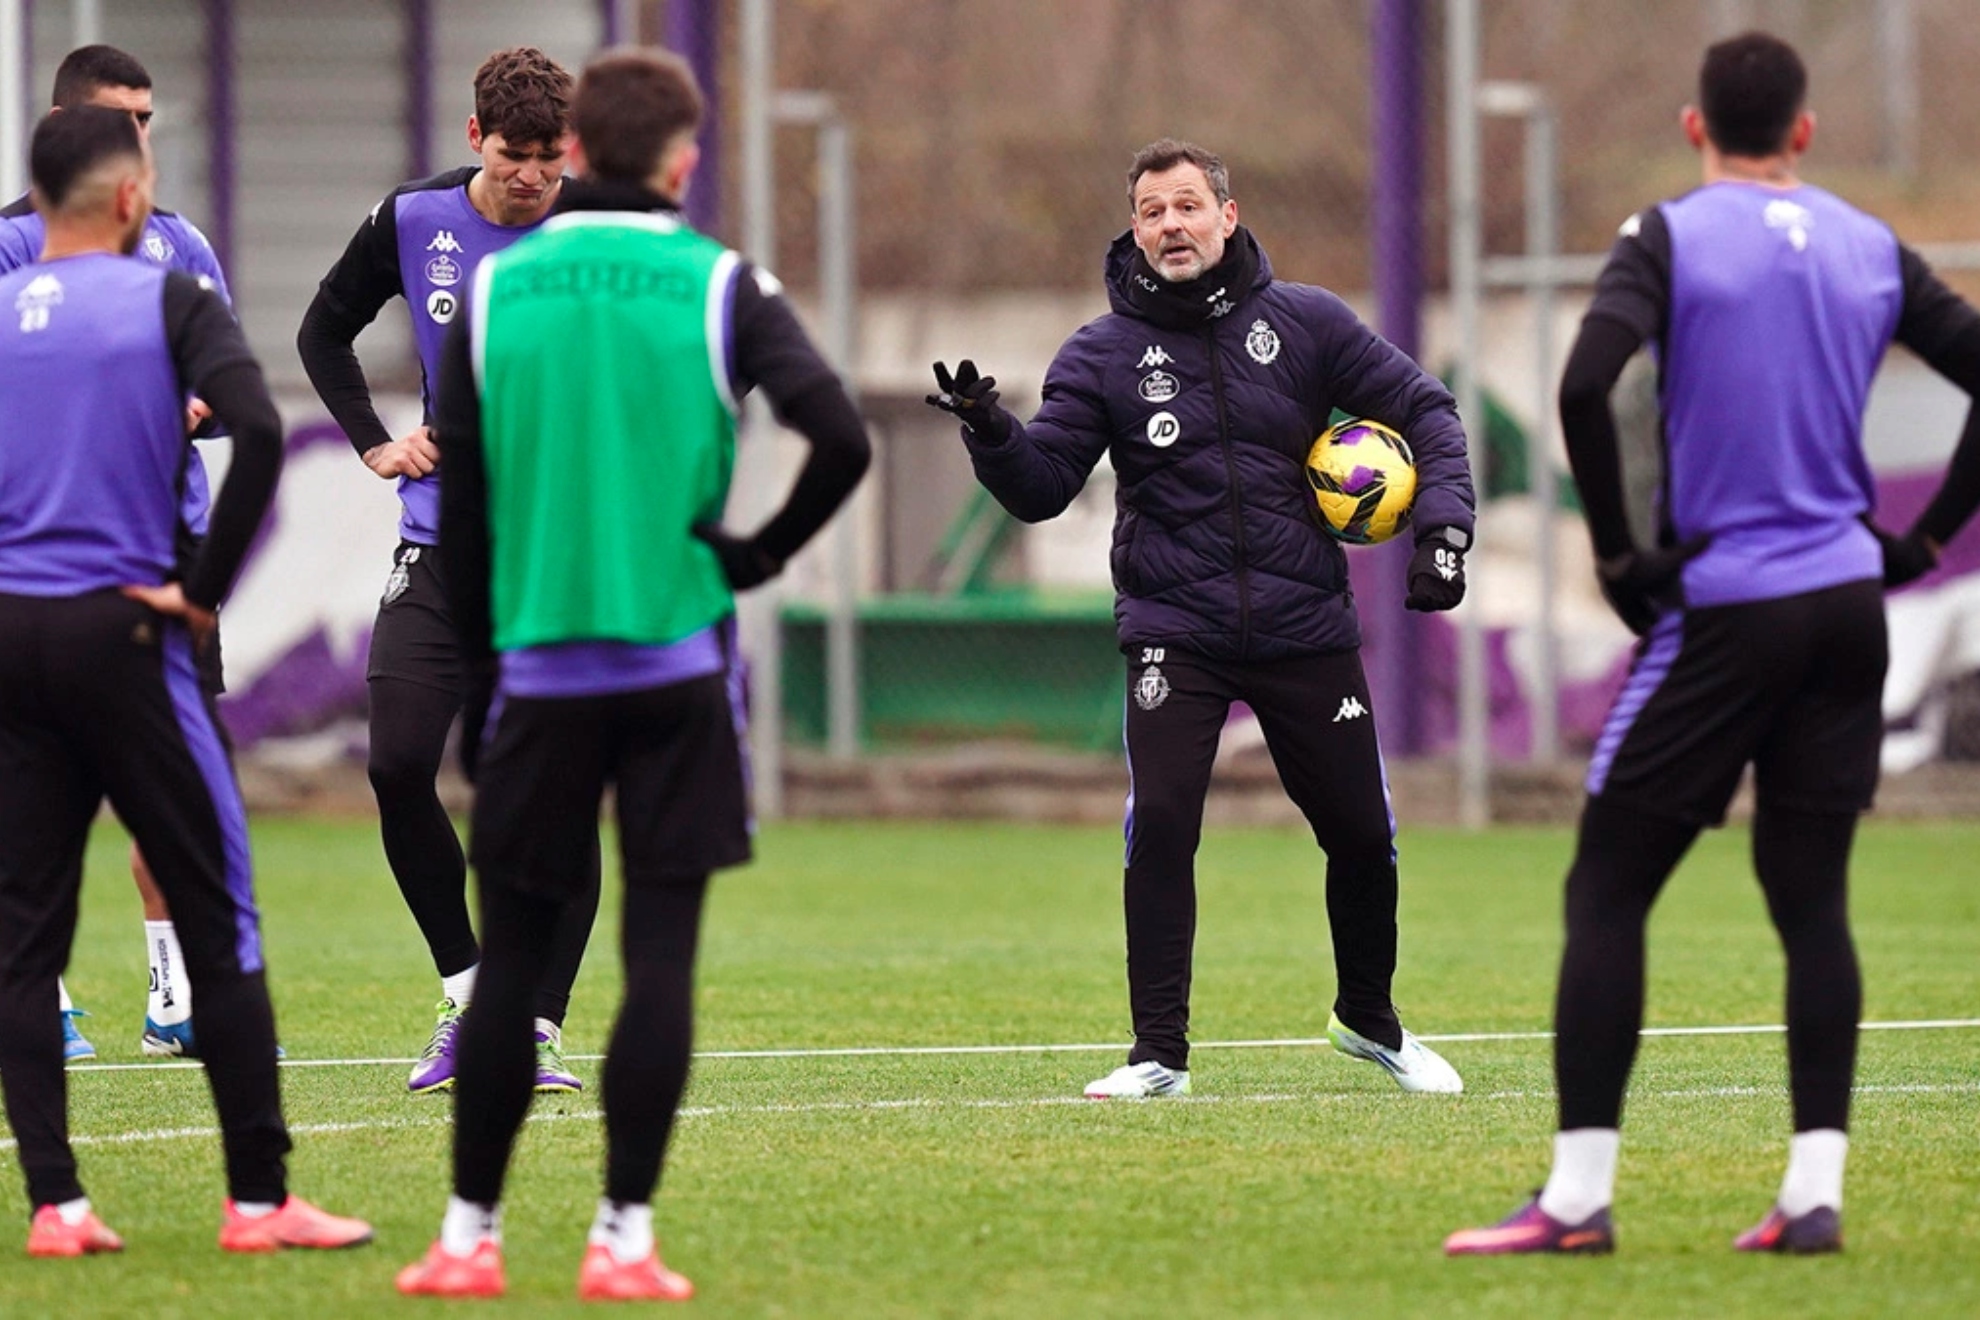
(1205, 387)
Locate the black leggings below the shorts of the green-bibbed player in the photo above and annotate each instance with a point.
(646, 1062)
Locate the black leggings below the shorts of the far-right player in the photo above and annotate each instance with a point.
(1621, 864)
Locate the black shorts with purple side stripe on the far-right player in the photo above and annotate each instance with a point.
(1789, 686)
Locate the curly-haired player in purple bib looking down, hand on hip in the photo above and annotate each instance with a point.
(423, 244)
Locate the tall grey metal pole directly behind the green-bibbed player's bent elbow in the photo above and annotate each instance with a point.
(759, 613)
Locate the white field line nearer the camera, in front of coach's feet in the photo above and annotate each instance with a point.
(870, 1107)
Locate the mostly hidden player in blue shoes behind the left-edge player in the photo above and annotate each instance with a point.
(116, 80)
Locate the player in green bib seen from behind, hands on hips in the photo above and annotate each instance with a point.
(587, 423)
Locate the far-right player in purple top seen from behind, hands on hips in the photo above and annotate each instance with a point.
(1769, 306)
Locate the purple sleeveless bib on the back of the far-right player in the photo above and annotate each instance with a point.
(1783, 302)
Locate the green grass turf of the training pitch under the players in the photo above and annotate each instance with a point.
(979, 1184)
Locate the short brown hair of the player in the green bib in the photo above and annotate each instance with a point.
(633, 104)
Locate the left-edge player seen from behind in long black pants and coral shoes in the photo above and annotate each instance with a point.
(100, 692)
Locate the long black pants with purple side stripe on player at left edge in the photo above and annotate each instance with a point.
(100, 700)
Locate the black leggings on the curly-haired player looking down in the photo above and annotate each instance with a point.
(409, 735)
